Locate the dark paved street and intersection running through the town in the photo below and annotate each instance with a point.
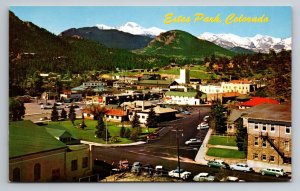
(164, 151)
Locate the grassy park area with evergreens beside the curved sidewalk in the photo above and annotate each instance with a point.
(88, 133)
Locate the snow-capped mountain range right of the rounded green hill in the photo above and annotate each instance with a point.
(258, 43)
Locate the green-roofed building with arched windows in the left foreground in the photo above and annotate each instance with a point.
(37, 156)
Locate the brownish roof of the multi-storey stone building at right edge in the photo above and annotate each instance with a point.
(273, 112)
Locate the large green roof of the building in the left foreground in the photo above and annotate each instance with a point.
(26, 138)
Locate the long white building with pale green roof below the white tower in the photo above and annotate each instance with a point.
(182, 98)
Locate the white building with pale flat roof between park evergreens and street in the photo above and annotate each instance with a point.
(163, 114)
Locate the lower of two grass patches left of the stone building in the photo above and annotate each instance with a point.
(225, 153)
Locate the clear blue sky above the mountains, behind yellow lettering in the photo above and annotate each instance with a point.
(58, 19)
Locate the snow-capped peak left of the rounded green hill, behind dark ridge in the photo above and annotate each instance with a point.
(134, 28)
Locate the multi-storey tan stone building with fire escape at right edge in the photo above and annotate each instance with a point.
(269, 136)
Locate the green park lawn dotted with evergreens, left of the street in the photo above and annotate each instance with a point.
(88, 134)
